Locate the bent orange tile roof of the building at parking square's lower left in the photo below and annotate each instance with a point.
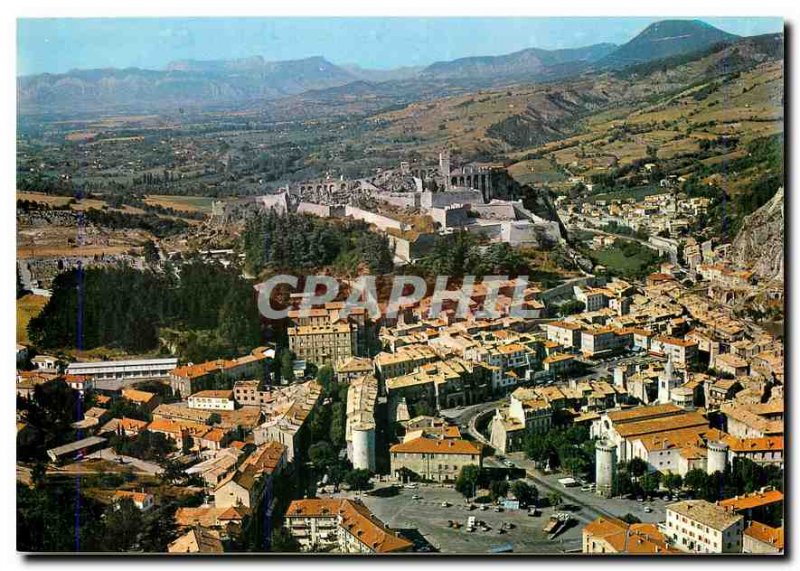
(355, 518)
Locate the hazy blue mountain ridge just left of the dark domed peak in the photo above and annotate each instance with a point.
(525, 63)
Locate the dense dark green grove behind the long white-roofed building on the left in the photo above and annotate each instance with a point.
(124, 307)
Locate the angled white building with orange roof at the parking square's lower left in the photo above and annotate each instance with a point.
(341, 526)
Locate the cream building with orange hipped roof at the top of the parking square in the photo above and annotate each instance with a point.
(437, 460)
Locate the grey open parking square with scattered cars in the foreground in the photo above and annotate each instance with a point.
(430, 517)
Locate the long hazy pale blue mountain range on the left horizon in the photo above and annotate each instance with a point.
(187, 82)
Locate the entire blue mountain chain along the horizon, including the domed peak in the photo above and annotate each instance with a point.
(250, 80)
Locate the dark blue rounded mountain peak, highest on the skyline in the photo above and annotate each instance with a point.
(665, 39)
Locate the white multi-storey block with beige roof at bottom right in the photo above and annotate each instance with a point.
(698, 526)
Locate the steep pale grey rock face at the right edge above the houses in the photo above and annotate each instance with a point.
(759, 244)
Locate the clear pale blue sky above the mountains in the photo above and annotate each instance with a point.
(58, 45)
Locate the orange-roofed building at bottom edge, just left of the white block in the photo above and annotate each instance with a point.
(612, 535)
